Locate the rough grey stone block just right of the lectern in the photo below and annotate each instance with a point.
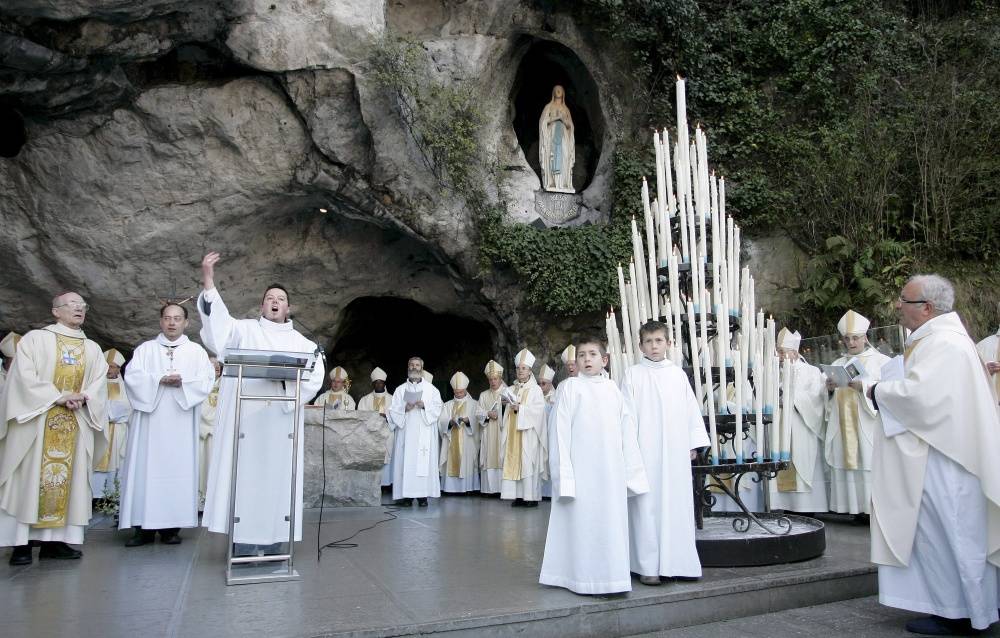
(355, 453)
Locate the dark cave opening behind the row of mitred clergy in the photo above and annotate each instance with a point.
(386, 331)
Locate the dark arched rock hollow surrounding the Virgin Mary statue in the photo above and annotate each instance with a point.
(543, 65)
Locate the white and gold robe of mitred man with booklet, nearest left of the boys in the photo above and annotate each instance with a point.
(523, 443)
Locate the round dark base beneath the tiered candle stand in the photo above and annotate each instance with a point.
(720, 545)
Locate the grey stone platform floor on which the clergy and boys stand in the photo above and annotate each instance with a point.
(465, 566)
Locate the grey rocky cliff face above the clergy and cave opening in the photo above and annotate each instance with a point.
(156, 130)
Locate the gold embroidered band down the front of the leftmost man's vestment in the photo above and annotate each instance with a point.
(59, 436)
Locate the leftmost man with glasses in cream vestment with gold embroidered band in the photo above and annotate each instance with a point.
(53, 407)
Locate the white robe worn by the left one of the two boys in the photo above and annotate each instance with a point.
(597, 467)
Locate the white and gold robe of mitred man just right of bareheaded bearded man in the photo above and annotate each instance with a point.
(459, 452)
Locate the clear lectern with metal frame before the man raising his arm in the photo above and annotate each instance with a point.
(266, 365)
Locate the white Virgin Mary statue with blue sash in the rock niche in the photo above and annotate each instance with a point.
(556, 144)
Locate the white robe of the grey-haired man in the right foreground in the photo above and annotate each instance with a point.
(936, 481)
